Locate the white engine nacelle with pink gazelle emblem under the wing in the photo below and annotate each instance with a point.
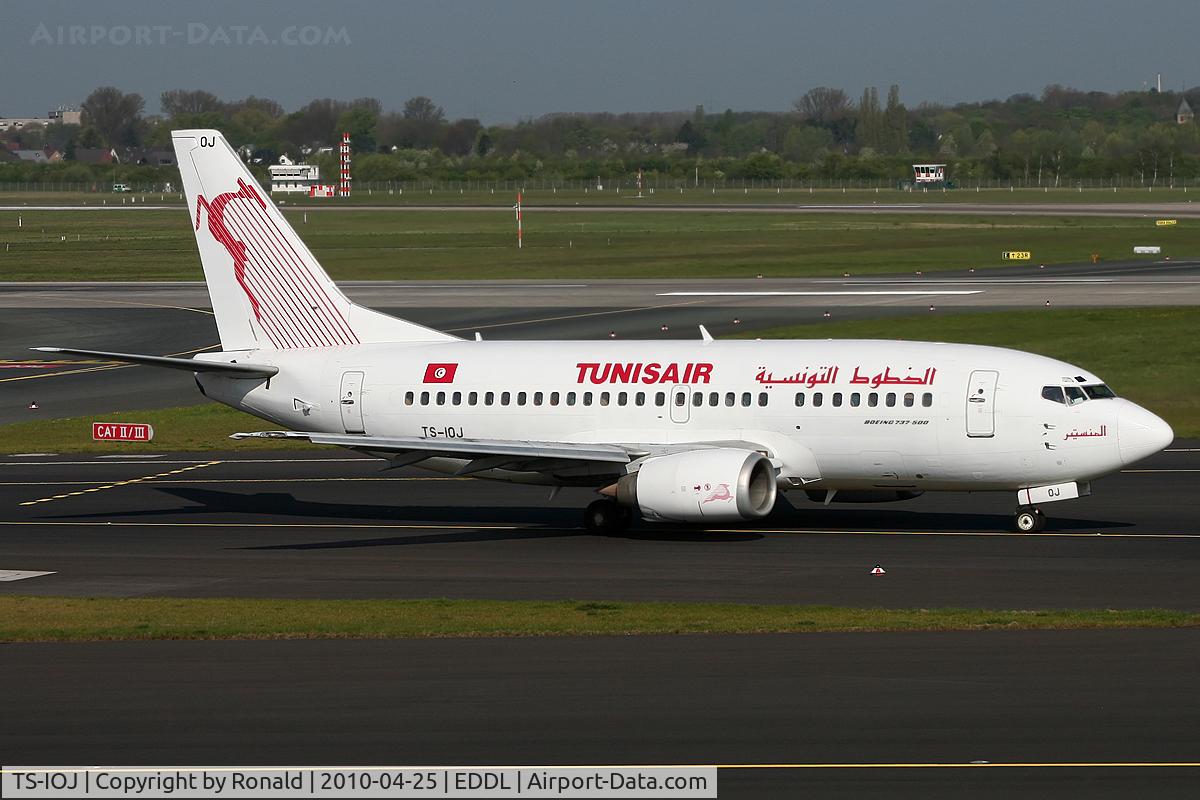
(719, 485)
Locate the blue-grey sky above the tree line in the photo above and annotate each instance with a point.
(502, 62)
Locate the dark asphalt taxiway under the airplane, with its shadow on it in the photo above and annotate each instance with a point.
(331, 525)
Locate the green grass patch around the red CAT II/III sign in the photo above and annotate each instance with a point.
(193, 429)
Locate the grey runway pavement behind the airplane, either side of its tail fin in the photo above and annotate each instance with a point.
(175, 318)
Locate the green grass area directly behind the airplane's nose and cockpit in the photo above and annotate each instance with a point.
(1149, 356)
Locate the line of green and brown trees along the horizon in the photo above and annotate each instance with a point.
(1064, 135)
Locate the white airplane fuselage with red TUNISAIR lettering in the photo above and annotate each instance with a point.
(833, 414)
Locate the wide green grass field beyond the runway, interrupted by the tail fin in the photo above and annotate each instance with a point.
(562, 244)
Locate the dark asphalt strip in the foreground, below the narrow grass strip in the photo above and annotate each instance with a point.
(1004, 697)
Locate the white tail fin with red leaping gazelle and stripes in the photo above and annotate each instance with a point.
(267, 288)
